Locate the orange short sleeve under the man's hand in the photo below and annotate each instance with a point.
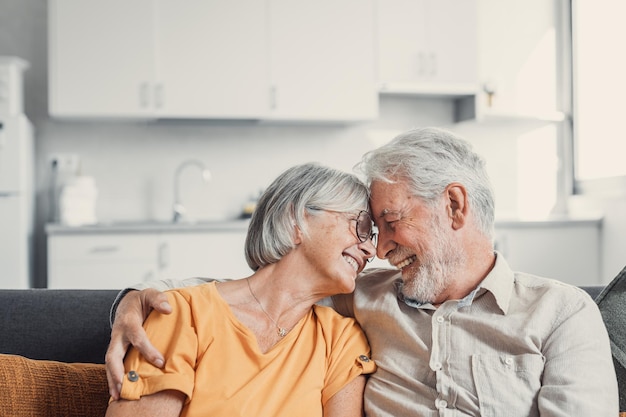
(174, 335)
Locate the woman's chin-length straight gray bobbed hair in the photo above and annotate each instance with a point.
(281, 208)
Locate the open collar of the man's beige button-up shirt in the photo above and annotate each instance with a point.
(499, 282)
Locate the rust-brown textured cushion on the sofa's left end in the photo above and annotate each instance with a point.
(48, 388)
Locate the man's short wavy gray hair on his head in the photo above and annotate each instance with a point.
(431, 159)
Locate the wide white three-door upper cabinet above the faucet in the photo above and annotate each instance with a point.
(230, 59)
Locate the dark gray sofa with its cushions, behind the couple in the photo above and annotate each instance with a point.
(73, 326)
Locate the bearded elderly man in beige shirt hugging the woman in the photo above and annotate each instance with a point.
(453, 330)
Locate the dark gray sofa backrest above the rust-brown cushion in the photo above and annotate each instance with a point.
(59, 325)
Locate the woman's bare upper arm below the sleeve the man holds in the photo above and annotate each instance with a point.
(162, 404)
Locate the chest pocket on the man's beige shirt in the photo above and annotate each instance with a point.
(507, 385)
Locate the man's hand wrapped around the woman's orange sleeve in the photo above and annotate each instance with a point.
(128, 330)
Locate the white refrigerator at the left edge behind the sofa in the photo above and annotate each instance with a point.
(16, 179)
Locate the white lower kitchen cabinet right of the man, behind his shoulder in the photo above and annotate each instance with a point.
(565, 250)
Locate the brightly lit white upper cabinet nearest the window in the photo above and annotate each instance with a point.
(518, 62)
